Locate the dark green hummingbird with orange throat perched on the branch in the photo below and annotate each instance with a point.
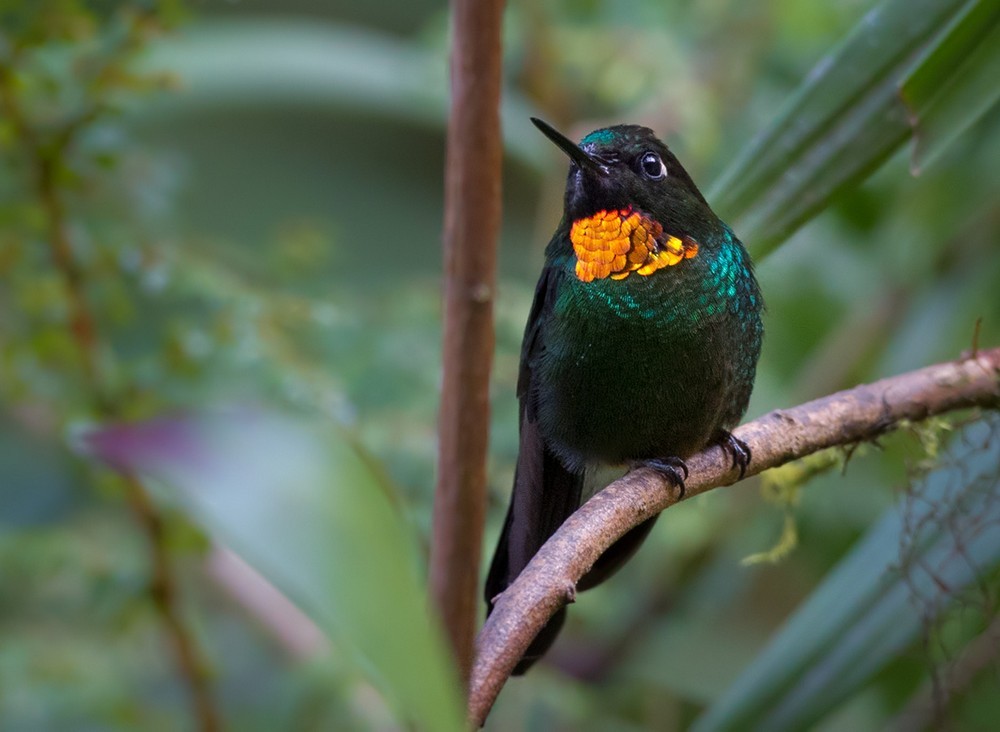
(640, 348)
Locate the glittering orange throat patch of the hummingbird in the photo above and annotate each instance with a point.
(617, 243)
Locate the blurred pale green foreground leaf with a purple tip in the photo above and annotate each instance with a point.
(299, 503)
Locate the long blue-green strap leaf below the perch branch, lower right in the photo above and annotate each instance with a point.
(863, 616)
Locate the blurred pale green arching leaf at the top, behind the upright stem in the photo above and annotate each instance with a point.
(222, 64)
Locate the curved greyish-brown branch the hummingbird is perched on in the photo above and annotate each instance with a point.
(850, 416)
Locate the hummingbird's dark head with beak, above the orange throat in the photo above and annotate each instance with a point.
(626, 165)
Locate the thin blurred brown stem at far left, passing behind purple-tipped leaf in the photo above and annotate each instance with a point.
(83, 327)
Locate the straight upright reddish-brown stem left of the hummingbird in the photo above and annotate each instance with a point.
(471, 227)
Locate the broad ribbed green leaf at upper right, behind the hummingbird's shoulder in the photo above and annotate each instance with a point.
(848, 116)
